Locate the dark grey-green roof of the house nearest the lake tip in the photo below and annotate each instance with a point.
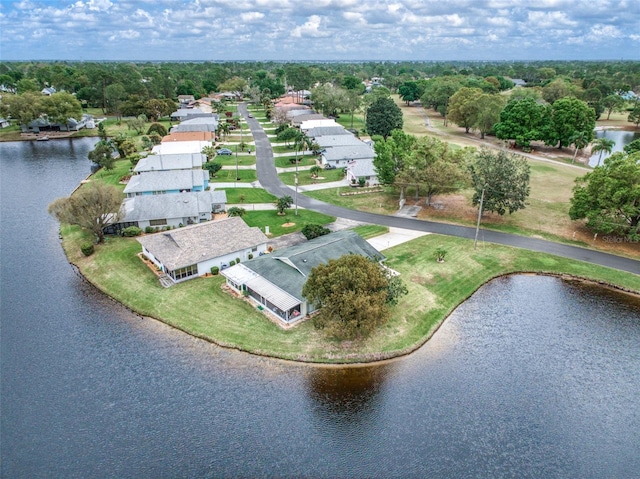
(289, 268)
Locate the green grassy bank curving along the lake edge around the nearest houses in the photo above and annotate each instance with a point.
(202, 308)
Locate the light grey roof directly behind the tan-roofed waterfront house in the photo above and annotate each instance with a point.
(181, 205)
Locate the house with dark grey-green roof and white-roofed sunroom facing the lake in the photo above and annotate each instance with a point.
(275, 281)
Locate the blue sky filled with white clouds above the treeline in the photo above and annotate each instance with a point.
(317, 30)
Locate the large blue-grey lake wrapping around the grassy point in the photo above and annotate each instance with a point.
(532, 377)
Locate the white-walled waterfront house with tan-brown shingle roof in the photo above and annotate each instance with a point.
(192, 251)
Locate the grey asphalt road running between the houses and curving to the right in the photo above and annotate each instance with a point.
(269, 180)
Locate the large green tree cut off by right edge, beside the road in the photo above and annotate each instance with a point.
(609, 197)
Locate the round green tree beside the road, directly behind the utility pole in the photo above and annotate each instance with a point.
(504, 179)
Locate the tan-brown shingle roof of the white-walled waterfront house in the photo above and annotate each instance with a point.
(193, 244)
